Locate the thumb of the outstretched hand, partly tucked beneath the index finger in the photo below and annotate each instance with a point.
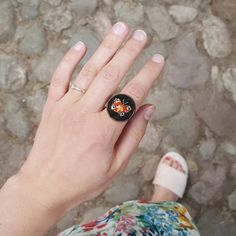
(131, 136)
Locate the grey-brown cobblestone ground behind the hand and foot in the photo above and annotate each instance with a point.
(195, 98)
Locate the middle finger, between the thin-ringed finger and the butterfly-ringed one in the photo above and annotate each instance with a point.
(110, 76)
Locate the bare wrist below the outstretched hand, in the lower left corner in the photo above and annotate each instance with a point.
(24, 208)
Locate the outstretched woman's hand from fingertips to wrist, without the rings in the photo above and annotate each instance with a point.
(78, 148)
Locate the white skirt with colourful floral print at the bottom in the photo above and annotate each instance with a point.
(139, 218)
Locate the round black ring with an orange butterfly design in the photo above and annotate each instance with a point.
(121, 107)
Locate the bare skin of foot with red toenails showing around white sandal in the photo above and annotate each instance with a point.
(161, 194)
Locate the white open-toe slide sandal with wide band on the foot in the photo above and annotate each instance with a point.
(170, 178)
